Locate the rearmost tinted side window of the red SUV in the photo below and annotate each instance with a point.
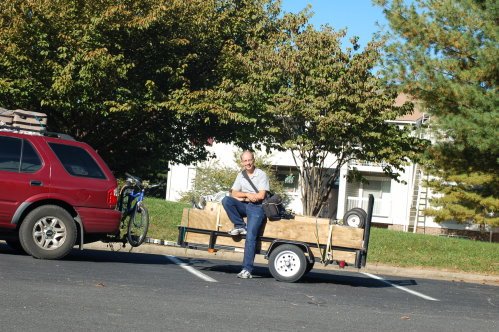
(77, 161)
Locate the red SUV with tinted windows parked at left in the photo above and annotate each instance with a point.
(54, 191)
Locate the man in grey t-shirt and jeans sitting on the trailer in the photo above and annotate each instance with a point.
(245, 201)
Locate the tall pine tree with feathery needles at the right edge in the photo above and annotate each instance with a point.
(445, 54)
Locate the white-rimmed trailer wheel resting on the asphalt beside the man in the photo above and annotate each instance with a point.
(287, 263)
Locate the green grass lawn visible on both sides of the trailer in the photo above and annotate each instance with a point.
(385, 246)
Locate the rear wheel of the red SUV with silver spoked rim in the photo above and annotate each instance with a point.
(48, 232)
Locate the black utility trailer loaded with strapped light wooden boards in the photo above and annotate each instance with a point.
(292, 247)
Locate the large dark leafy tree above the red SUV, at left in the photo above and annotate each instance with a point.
(111, 72)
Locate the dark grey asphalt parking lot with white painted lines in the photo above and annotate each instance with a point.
(157, 288)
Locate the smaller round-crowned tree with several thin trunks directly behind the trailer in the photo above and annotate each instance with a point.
(303, 92)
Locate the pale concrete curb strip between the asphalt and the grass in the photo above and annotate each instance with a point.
(376, 269)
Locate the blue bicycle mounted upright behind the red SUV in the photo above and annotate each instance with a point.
(134, 213)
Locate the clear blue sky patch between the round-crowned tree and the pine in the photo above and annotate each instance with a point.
(358, 16)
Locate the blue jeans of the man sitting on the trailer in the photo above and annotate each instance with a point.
(237, 210)
